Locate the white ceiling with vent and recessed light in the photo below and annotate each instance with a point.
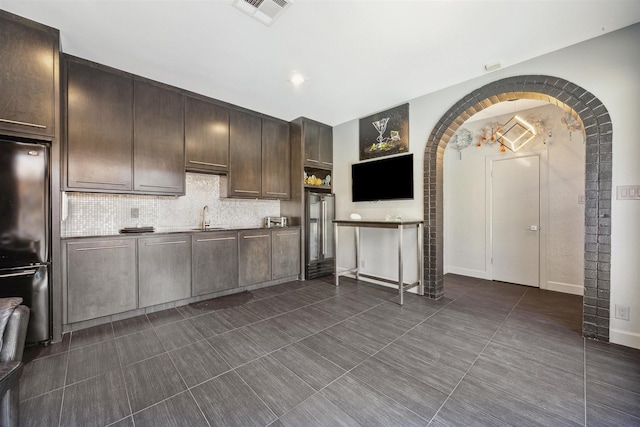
(359, 56)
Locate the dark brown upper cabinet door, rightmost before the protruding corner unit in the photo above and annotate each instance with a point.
(276, 163)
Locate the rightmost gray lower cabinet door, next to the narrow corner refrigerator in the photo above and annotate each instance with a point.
(285, 253)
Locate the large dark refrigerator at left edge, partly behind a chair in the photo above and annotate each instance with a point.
(24, 231)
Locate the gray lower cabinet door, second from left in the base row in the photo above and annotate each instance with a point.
(164, 269)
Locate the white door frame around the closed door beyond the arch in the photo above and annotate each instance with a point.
(543, 206)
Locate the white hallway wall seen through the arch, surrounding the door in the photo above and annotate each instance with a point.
(467, 194)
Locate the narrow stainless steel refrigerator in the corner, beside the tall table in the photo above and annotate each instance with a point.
(320, 213)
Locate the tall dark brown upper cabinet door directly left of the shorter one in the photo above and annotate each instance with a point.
(158, 143)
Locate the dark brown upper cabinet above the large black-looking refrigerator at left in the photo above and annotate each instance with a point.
(29, 69)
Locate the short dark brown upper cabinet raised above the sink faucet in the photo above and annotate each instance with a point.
(206, 136)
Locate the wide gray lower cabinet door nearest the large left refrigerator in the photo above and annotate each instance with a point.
(101, 278)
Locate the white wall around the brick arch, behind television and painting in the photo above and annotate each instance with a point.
(608, 67)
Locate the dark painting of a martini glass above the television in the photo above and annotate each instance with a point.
(385, 133)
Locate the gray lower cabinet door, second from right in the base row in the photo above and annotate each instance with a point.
(254, 257)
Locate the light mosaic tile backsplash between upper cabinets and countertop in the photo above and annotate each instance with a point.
(98, 214)
